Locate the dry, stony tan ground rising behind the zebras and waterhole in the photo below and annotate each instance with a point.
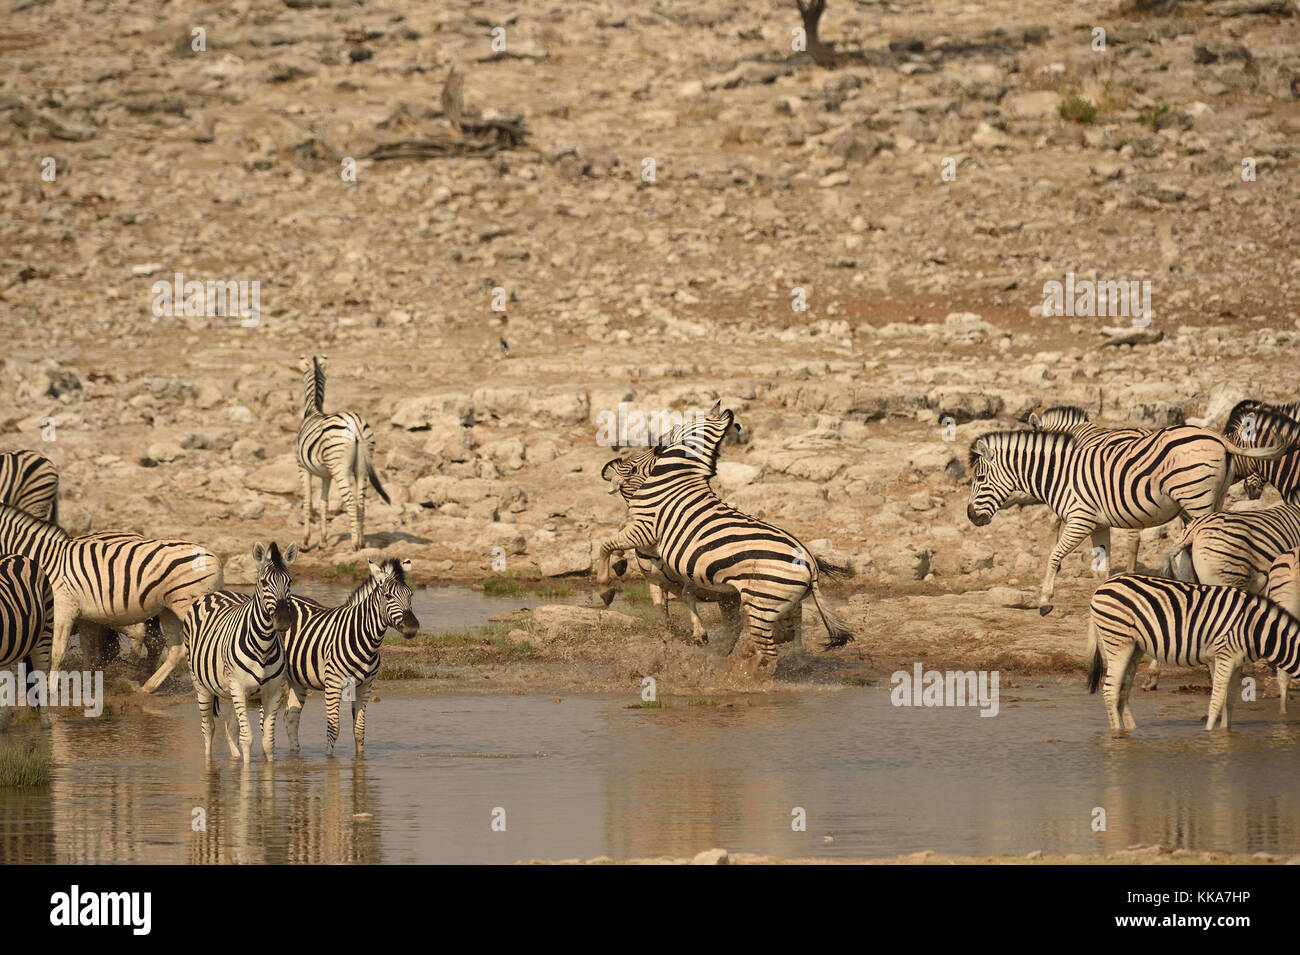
(916, 199)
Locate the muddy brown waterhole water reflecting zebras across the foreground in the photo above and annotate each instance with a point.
(588, 778)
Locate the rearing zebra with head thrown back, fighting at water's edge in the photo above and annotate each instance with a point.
(710, 545)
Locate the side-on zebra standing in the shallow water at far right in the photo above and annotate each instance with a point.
(1184, 624)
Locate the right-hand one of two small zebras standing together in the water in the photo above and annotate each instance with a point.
(331, 648)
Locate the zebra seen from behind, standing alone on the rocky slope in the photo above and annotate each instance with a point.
(333, 448)
